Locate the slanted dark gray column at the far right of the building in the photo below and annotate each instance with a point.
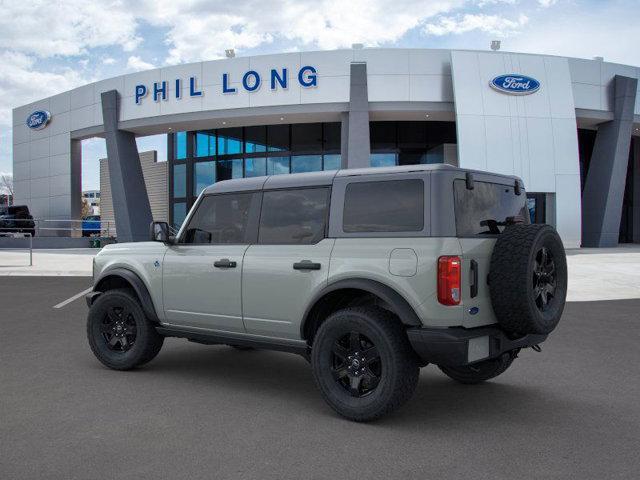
(604, 186)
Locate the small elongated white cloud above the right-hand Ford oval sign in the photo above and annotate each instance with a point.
(491, 24)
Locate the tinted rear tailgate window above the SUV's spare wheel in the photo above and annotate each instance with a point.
(485, 209)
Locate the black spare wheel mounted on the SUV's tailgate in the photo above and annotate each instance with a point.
(528, 279)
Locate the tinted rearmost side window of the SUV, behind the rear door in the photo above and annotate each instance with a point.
(386, 206)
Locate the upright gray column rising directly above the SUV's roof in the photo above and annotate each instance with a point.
(358, 147)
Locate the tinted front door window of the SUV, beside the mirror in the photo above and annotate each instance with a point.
(220, 219)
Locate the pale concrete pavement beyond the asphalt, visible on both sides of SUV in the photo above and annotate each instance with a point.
(594, 274)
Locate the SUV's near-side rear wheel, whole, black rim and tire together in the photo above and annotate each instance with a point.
(363, 363)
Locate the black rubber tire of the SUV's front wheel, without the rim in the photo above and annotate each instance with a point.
(148, 341)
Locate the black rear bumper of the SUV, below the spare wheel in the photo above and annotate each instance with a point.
(459, 346)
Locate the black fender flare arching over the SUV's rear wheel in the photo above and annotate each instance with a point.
(397, 302)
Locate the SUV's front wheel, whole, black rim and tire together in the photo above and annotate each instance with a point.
(119, 333)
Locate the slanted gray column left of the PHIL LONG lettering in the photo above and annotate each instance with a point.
(129, 193)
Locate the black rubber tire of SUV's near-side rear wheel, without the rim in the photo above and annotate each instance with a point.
(398, 362)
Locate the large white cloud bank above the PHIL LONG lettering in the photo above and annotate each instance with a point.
(204, 30)
